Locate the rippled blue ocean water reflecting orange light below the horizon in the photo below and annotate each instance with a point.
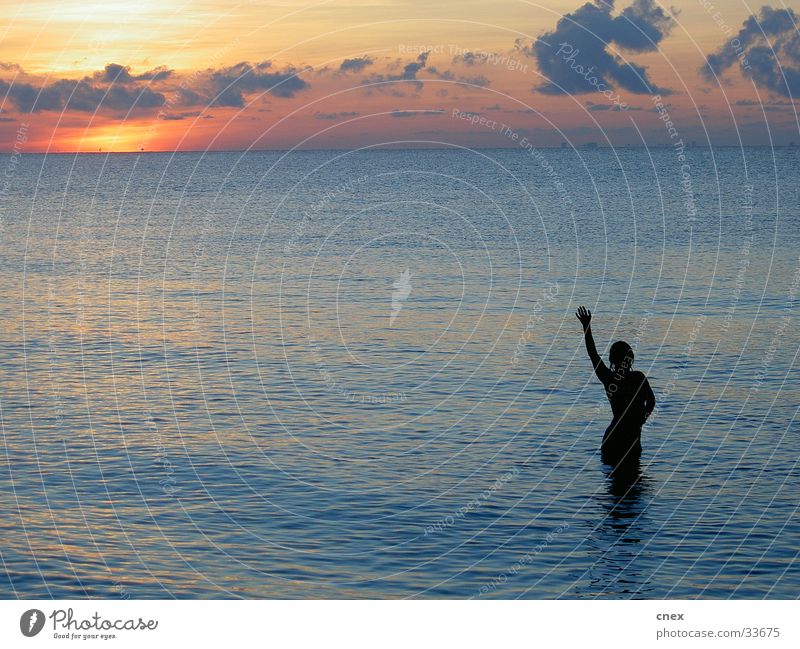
(359, 374)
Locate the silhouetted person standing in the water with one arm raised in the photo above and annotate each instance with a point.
(629, 393)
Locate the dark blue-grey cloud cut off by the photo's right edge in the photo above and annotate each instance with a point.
(767, 49)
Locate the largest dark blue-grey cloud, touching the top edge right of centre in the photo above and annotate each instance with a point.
(575, 59)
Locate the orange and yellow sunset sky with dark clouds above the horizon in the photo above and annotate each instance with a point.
(167, 75)
